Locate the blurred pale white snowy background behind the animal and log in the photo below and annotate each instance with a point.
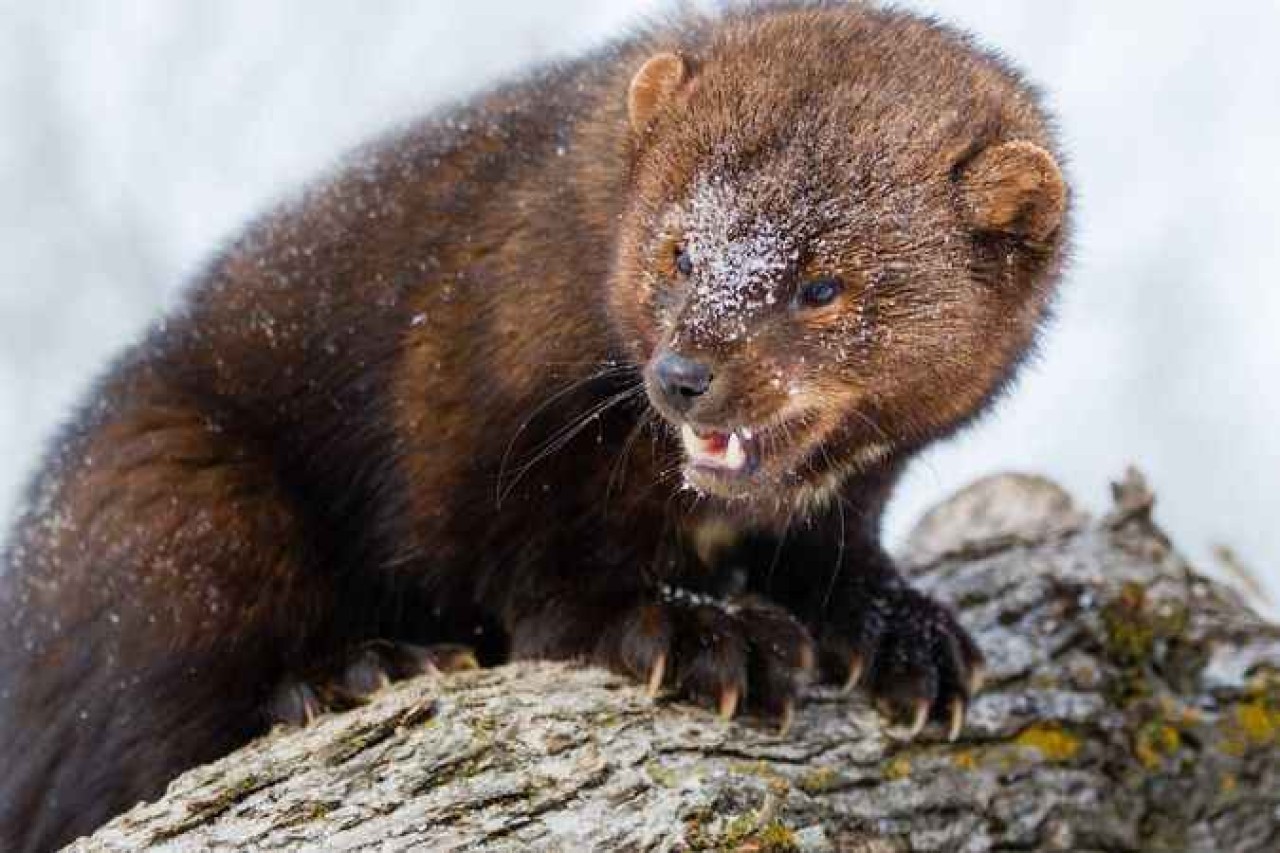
(141, 134)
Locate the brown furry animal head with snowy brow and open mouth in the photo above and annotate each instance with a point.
(844, 234)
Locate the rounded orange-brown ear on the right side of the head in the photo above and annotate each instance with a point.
(1014, 189)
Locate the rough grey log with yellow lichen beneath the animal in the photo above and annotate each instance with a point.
(1133, 705)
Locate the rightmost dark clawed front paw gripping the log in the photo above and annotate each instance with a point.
(909, 654)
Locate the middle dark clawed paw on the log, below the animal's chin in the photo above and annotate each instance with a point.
(744, 654)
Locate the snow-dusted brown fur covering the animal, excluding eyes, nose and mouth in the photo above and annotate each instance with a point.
(410, 404)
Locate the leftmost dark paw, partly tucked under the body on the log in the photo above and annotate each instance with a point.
(350, 681)
